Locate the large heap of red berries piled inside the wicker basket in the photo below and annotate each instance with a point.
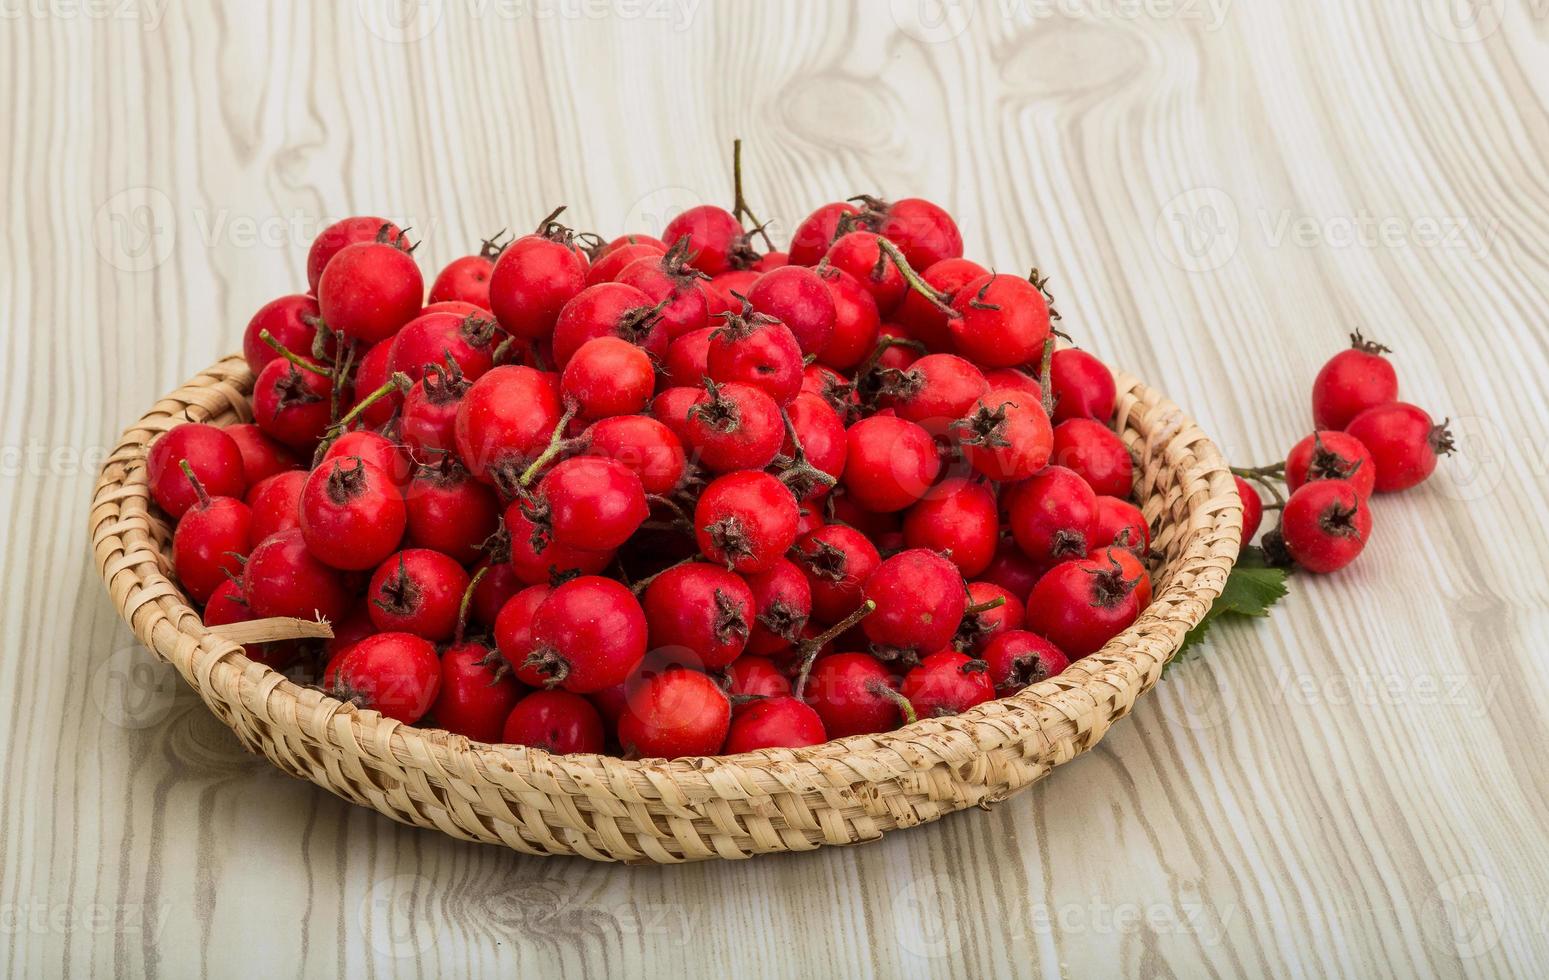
(667, 496)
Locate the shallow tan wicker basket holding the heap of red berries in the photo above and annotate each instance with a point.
(608, 809)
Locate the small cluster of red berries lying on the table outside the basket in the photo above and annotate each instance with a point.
(1364, 440)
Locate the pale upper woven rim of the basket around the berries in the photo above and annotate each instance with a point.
(219, 670)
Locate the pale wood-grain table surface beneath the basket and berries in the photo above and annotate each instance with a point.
(1223, 190)
